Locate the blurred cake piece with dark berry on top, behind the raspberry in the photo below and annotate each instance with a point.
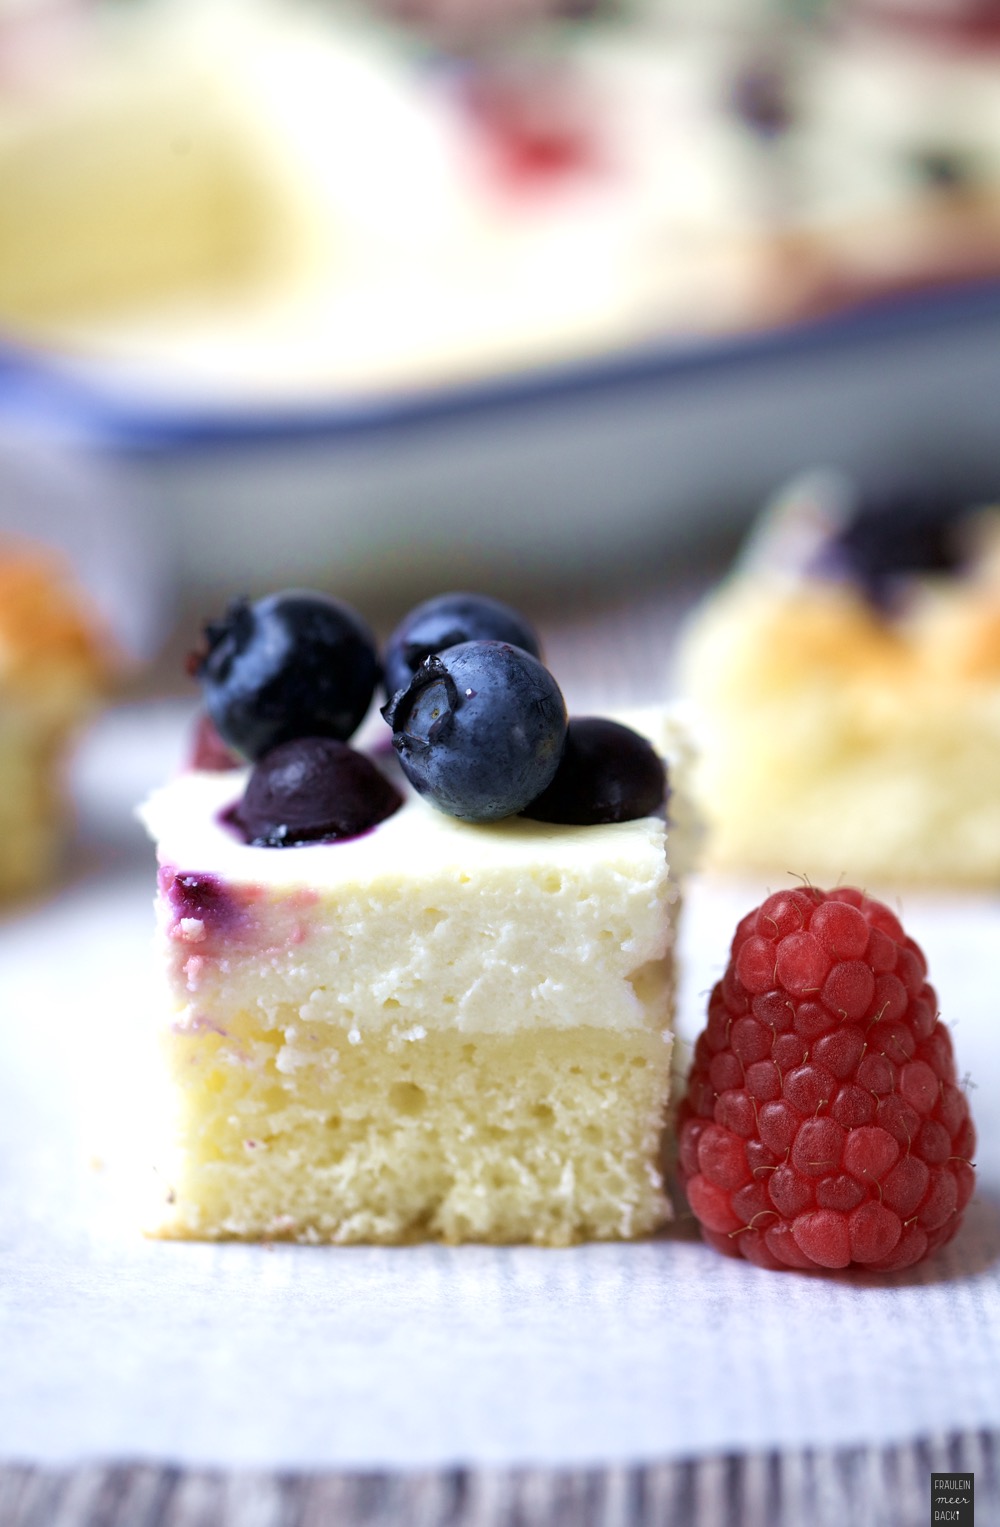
(848, 682)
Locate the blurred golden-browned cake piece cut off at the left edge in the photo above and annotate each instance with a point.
(54, 671)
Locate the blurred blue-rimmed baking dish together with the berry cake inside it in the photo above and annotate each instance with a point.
(538, 297)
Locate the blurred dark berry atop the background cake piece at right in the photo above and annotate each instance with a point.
(895, 531)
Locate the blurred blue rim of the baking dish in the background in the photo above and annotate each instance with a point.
(76, 398)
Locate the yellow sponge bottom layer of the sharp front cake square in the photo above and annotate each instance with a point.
(292, 1132)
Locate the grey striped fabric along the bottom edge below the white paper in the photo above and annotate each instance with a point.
(847, 1488)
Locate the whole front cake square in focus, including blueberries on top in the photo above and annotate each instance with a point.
(422, 990)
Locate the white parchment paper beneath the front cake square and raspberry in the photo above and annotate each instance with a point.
(112, 1346)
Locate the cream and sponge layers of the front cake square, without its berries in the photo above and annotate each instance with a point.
(433, 1031)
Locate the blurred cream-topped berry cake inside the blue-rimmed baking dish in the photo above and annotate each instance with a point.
(280, 196)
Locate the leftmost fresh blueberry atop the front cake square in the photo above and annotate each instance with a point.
(294, 665)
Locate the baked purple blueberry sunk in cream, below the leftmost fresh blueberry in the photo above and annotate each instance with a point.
(311, 790)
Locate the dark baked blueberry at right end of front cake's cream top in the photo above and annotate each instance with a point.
(607, 773)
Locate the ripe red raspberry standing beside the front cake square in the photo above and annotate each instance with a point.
(824, 1125)
